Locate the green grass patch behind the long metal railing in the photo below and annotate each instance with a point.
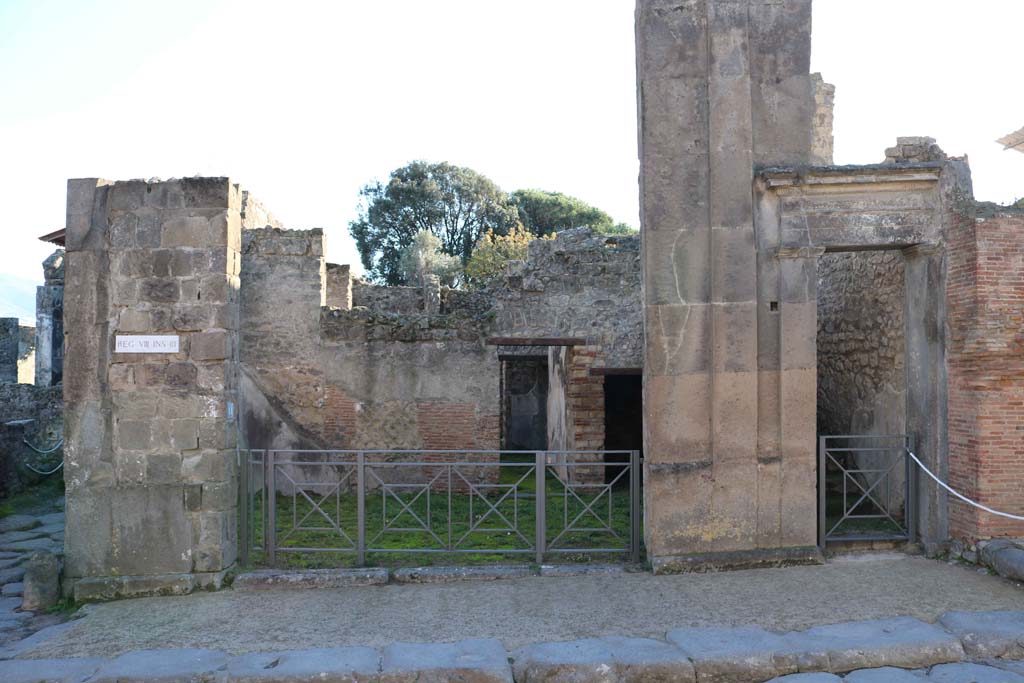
(495, 524)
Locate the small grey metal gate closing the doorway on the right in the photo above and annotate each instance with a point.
(878, 476)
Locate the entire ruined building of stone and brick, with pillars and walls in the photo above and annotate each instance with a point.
(772, 300)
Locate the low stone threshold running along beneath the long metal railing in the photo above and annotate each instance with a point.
(278, 579)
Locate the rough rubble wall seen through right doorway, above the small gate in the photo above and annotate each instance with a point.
(862, 346)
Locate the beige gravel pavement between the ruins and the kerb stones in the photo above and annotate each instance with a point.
(527, 611)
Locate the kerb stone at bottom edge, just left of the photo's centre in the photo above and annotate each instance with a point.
(479, 661)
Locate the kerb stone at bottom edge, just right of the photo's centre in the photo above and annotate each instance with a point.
(602, 660)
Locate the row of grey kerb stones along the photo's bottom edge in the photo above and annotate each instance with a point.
(891, 650)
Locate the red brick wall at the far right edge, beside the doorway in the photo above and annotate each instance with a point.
(986, 358)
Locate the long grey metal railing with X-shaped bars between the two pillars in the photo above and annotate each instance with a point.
(359, 503)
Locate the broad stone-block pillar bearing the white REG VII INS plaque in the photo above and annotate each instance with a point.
(150, 460)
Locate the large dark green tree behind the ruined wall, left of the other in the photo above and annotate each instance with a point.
(458, 205)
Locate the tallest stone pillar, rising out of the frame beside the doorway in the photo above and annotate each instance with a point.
(723, 88)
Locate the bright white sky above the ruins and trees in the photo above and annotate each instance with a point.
(306, 103)
